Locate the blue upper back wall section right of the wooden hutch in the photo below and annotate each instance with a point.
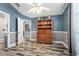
(57, 23)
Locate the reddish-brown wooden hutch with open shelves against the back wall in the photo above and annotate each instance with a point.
(44, 32)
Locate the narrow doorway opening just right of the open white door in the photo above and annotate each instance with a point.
(27, 29)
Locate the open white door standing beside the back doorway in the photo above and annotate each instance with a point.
(20, 30)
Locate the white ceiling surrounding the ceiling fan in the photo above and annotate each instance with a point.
(56, 9)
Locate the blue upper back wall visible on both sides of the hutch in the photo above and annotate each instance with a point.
(57, 22)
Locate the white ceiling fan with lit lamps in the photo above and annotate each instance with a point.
(37, 8)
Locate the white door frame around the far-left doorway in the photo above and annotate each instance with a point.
(8, 32)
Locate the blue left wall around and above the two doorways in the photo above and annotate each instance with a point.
(6, 7)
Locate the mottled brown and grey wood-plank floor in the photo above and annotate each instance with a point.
(32, 48)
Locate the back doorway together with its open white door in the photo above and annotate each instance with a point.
(24, 30)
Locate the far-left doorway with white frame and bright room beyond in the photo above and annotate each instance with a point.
(4, 29)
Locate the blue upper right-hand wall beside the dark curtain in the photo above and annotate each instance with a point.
(66, 19)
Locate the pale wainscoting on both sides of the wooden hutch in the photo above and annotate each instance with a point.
(58, 36)
